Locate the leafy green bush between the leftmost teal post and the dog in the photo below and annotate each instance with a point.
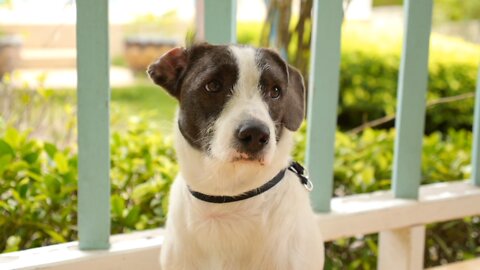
(142, 168)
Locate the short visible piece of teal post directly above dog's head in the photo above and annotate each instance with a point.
(219, 21)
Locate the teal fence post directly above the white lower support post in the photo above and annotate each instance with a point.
(412, 87)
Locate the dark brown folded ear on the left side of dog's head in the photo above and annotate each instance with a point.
(166, 70)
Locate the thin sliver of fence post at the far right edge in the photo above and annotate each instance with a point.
(476, 136)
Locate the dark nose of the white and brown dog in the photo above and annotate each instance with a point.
(253, 136)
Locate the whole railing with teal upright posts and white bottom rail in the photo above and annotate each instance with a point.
(399, 215)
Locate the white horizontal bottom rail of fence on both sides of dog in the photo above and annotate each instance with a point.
(350, 216)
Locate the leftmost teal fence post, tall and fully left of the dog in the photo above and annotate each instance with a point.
(93, 124)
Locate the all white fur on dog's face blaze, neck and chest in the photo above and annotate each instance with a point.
(274, 230)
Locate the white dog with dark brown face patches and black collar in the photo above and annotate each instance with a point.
(234, 204)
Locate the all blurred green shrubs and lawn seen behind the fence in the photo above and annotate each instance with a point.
(38, 162)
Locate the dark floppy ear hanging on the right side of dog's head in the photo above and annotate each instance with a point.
(295, 96)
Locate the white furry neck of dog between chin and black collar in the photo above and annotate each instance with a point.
(213, 177)
